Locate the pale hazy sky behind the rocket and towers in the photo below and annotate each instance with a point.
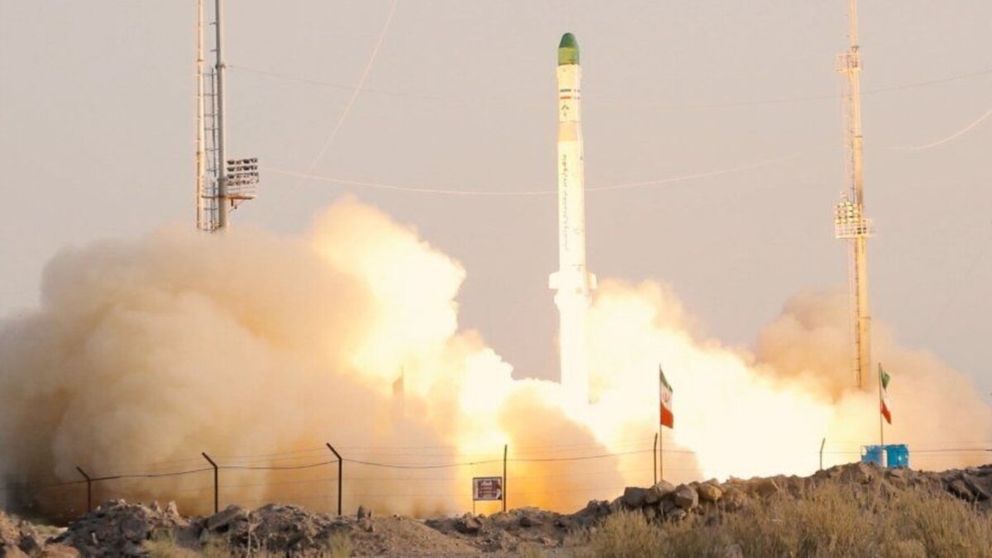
(96, 141)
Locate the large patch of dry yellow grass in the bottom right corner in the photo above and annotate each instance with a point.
(833, 521)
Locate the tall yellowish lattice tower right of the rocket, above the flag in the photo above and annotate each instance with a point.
(849, 218)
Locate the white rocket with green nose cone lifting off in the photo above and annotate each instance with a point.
(572, 282)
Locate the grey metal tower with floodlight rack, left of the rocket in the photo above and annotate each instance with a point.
(221, 184)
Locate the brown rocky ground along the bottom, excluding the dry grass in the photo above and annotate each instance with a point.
(117, 528)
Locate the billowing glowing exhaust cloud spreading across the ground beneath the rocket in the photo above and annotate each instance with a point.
(259, 348)
